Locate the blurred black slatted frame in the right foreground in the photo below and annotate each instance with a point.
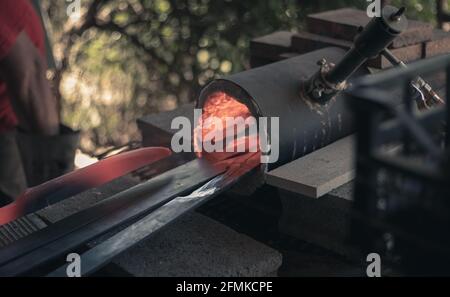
(401, 206)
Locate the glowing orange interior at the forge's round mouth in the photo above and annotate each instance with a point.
(221, 106)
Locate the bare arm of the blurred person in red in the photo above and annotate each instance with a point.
(24, 71)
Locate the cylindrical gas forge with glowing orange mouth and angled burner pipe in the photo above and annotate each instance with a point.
(303, 93)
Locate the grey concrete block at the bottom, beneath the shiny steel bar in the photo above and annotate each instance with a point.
(199, 246)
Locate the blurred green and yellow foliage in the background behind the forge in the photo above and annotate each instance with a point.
(117, 60)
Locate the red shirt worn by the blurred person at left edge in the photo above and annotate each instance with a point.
(16, 16)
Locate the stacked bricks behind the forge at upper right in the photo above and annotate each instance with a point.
(338, 28)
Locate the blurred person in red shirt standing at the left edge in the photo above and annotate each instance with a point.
(26, 100)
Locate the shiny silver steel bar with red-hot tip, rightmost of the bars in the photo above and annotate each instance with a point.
(101, 254)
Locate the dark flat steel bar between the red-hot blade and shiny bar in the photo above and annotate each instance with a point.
(62, 239)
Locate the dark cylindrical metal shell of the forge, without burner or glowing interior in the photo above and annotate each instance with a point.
(273, 91)
